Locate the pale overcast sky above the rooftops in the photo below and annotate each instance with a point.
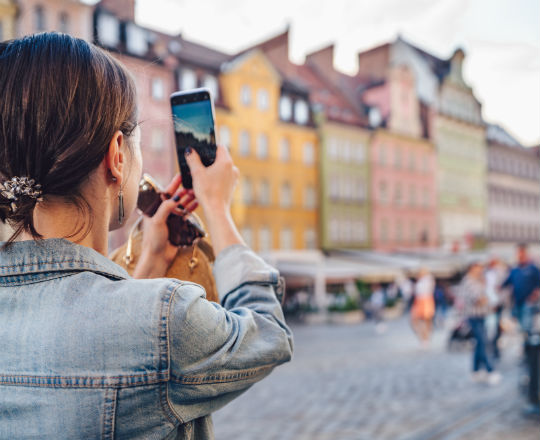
(501, 39)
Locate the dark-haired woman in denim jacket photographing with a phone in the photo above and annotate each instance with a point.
(87, 351)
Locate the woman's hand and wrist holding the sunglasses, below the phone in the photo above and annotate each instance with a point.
(157, 251)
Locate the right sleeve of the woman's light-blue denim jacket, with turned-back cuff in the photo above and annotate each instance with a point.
(218, 351)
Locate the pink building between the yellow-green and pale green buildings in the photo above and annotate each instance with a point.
(403, 164)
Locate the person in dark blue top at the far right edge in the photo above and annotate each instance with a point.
(524, 281)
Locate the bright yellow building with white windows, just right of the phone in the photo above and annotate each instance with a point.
(268, 125)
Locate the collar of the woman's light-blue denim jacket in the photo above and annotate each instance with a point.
(55, 255)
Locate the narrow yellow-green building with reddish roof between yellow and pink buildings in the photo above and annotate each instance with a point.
(343, 204)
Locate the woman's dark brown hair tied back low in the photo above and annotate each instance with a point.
(62, 101)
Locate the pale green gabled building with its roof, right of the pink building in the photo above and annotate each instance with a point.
(453, 121)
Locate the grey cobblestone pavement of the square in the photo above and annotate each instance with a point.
(351, 383)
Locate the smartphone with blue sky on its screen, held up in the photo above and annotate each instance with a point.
(193, 119)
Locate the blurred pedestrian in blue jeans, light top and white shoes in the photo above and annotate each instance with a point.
(475, 308)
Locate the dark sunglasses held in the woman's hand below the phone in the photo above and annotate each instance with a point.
(184, 229)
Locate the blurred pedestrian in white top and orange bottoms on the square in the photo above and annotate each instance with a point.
(423, 308)
